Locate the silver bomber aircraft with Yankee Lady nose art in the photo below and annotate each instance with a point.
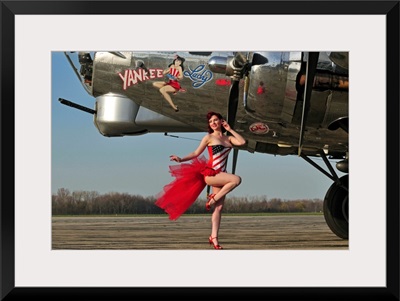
(282, 103)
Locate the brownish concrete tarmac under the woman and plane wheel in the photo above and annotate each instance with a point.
(279, 232)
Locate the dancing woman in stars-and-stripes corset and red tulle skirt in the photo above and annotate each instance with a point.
(192, 178)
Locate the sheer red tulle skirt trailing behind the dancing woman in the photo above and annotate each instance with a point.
(181, 193)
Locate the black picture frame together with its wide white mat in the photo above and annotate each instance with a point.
(32, 30)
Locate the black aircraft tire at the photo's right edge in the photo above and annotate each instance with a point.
(336, 208)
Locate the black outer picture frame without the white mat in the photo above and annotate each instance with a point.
(11, 8)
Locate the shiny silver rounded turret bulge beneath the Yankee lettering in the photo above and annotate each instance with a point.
(117, 115)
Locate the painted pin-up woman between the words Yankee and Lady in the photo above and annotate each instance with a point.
(174, 73)
